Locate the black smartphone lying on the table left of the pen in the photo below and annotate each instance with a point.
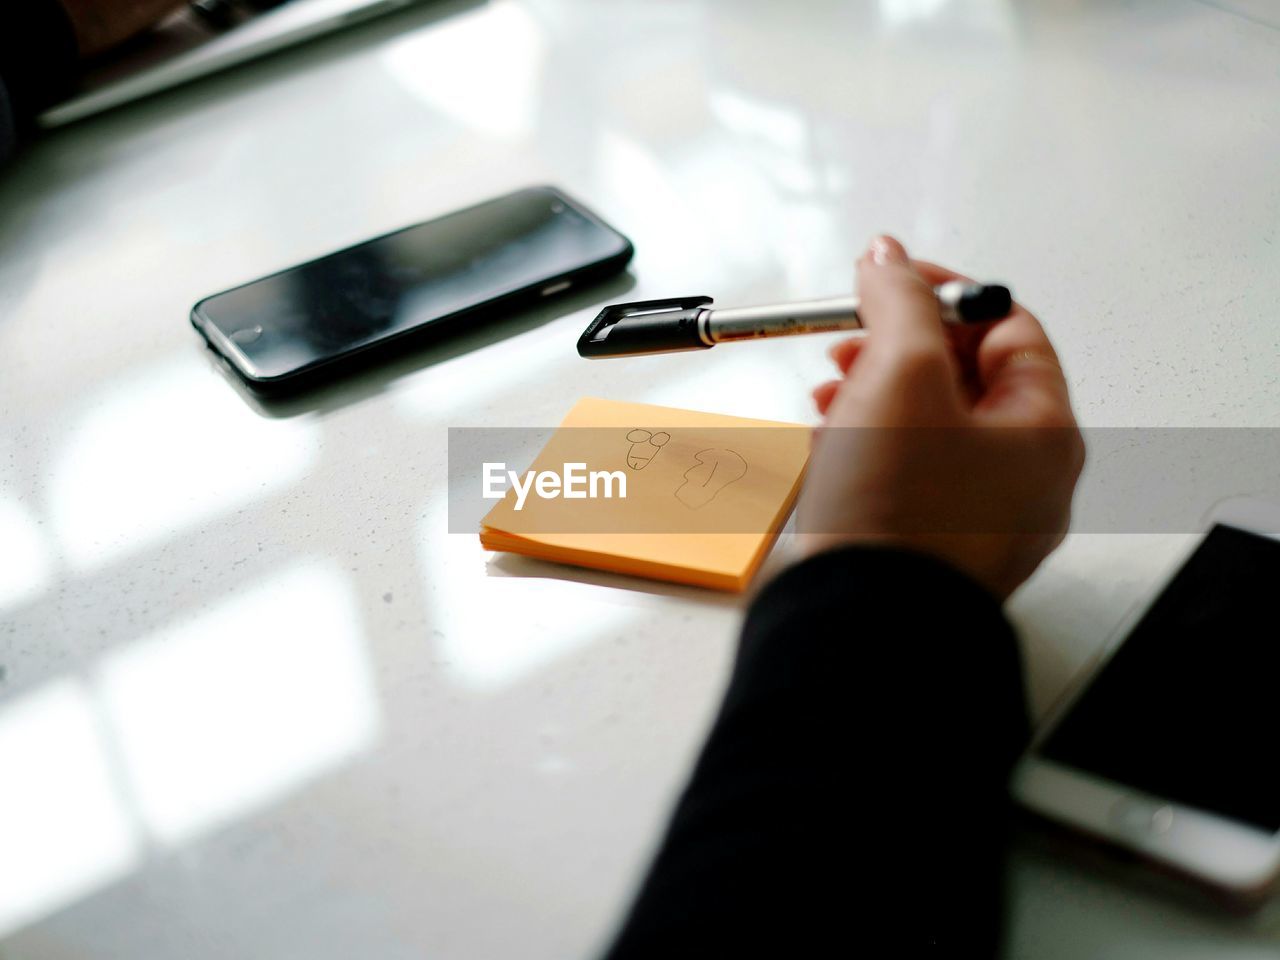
(313, 322)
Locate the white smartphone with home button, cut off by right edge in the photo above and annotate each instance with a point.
(1169, 747)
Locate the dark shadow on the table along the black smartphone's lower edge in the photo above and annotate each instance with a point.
(378, 374)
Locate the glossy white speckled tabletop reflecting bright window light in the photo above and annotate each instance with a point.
(257, 702)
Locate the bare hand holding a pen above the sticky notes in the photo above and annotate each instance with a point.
(958, 442)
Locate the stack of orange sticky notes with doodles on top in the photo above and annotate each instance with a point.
(655, 492)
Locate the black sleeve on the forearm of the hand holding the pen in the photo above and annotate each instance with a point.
(853, 790)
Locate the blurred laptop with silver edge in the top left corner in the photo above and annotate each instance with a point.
(195, 43)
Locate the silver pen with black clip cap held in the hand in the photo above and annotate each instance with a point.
(693, 323)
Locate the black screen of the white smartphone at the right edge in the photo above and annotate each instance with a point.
(1187, 707)
